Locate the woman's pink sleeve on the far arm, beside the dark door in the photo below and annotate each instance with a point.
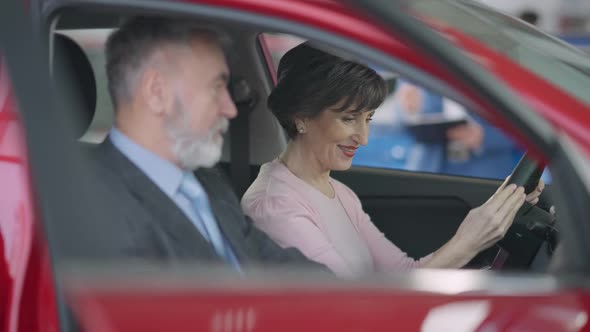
(387, 257)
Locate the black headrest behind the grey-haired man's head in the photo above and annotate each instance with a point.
(72, 68)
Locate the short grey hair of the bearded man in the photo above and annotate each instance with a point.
(137, 39)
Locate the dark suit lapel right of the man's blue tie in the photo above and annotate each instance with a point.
(226, 210)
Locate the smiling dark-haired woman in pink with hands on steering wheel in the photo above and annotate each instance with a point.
(325, 104)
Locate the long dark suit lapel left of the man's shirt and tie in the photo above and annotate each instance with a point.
(187, 240)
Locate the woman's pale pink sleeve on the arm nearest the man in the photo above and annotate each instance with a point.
(291, 224)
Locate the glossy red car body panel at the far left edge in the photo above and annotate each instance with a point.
(27, 298)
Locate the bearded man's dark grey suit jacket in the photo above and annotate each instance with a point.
(136, 220)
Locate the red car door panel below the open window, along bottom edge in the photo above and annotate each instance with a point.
(252, 309)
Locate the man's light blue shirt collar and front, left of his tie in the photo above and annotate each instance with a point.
(163, 173)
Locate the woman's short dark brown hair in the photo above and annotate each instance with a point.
(311, 81)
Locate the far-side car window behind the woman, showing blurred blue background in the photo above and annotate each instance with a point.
(413, 130)
